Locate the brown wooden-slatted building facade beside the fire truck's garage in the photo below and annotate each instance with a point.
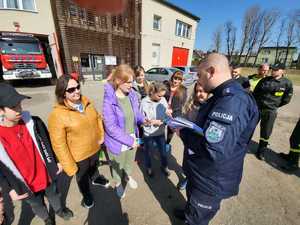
(93, 43)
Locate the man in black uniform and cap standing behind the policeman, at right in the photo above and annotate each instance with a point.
(271, 93)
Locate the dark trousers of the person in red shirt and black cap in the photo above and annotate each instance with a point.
(37, 203)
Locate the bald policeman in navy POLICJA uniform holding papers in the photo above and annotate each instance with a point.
(213, 163)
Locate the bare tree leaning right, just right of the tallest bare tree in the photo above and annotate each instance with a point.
(269, 18)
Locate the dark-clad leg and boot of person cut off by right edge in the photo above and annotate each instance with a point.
(293, 157)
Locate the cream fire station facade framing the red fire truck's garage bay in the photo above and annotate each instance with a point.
(30, 17)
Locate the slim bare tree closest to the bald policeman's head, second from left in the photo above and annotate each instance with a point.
(230, 36)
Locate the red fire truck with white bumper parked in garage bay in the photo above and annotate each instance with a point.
(22, 57)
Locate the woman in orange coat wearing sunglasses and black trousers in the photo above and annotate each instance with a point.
(76, 133)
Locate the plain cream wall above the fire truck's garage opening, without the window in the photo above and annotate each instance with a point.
(39, 22)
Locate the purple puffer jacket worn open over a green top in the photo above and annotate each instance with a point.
(114, 120)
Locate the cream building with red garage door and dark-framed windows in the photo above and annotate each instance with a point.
(167, 34)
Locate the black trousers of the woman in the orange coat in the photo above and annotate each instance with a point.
(87, 170)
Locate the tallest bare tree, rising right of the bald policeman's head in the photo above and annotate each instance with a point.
(247, 26)
